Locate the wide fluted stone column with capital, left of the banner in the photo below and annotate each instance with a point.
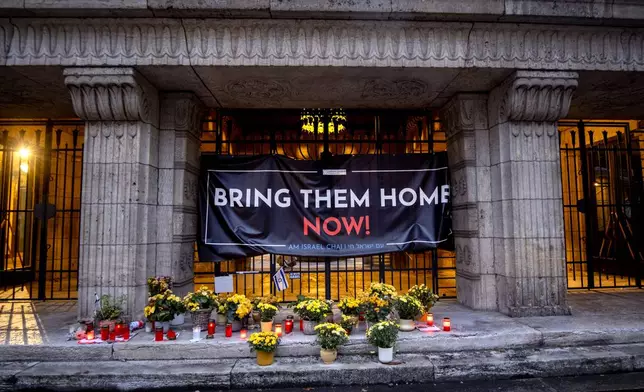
(119, 194)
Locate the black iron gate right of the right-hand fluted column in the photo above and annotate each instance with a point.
(602, 170)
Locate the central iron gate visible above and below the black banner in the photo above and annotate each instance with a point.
(312, 134)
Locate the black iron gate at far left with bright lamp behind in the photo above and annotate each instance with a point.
(40, 188)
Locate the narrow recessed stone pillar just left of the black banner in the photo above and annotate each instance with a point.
(180, 125)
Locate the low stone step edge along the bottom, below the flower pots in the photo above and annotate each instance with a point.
(309, 371)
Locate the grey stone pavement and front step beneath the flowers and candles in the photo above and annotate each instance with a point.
(604, 335)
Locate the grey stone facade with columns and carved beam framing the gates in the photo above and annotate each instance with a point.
(501, 73)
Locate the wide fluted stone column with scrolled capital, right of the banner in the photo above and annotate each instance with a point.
(527, 212)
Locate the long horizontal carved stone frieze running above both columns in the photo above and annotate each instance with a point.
(104, 42)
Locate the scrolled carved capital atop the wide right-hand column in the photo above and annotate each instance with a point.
(534, 96)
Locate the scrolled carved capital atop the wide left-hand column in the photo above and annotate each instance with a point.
(112, 94)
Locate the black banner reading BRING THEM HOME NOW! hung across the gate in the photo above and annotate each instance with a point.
(344, 206)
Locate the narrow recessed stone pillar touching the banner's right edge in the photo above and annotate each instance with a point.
(465, 122)
